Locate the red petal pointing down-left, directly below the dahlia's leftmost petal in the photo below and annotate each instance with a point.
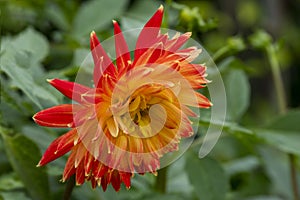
(59, 147)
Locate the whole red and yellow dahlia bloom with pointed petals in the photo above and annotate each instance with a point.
(137, 111)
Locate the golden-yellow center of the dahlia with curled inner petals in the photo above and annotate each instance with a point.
(149, 123)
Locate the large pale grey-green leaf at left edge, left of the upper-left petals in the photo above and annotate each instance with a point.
(20, 60)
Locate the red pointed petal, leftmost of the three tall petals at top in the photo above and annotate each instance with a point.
(103, 64)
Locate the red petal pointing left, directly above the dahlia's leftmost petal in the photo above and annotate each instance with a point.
(69, 89)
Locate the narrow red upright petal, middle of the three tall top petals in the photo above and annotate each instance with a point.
(122, 52)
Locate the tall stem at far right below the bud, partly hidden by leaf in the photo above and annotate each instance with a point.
(282, 106)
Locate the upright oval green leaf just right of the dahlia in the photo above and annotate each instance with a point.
(237, 92)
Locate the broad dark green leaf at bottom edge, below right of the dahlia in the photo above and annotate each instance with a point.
(207, 177)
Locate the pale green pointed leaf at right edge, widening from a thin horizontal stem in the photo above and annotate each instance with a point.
(286, 141)
